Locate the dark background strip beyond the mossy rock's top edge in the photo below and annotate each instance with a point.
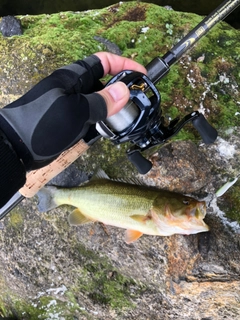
(15, 7)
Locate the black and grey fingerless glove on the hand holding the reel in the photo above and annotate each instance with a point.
(56, 113)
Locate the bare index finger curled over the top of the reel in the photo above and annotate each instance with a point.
(113, 64)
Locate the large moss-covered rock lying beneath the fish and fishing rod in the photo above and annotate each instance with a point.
(50, 270)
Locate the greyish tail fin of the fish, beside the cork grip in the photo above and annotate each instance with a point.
(46, 200)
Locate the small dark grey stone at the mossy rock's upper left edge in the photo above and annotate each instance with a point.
(10, 26)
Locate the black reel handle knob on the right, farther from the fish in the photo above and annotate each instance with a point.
(206, 131)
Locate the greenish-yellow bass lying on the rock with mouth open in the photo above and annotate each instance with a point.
(138, 208)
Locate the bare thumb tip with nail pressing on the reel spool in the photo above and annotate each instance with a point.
(116, 96)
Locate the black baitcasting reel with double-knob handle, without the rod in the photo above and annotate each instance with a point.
(142, 123)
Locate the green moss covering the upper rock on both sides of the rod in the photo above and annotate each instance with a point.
(50, 41)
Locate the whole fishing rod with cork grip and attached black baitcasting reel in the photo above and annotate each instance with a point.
(140, 121)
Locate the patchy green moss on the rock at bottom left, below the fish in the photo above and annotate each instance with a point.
(96, 278)
